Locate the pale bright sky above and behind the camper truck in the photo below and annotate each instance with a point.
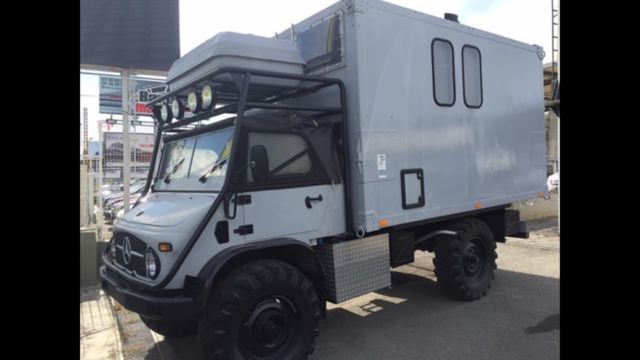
(528, 21)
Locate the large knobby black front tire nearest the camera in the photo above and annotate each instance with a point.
(236, 308)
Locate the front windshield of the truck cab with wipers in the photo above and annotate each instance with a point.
(187, 160)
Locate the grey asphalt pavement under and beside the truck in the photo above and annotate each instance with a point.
(519, 319)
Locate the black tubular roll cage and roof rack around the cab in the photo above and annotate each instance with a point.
(236, 97)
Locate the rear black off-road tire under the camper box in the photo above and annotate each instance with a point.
(465, 265)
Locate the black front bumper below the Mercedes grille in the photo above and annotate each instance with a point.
(160, 306)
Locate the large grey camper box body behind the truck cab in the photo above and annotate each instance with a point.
(471, 158)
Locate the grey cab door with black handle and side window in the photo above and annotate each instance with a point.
(289, 193)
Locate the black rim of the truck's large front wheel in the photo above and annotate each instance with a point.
(269, 330)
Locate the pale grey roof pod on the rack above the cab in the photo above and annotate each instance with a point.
(229, 49)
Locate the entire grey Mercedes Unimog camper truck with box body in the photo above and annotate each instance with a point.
(299, 169)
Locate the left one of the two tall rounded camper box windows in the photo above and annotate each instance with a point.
(444, 92)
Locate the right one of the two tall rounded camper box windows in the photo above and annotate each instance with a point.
(472, 76)
